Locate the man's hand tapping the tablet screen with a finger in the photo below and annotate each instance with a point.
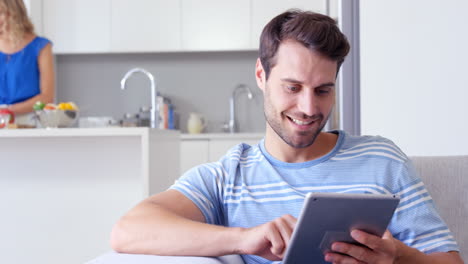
(269, 240)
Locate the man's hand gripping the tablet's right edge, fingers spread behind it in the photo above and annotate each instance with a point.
(380, 250)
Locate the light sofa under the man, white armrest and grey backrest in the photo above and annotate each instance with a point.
(446, 179)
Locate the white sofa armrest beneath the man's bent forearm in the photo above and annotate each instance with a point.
(118, 258)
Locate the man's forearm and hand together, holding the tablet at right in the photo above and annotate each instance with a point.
(386, 250)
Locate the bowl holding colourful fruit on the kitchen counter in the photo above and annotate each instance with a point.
(56, 118)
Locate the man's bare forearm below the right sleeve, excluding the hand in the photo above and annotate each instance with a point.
(413, 256)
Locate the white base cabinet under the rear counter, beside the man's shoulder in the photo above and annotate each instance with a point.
(203, 148)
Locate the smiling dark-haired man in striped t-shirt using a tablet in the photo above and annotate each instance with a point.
(244, 204)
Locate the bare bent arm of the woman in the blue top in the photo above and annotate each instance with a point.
(46, 82)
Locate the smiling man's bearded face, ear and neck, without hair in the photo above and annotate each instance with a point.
(299, 97)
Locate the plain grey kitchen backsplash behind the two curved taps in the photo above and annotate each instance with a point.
(195, 82)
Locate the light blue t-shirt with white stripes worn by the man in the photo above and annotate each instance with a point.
(248, 187)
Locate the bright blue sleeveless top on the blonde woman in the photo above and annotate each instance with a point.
(19, 72)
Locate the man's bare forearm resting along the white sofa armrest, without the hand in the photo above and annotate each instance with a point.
(152, 229)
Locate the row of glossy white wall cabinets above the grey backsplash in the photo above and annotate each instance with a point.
(109, 26)
